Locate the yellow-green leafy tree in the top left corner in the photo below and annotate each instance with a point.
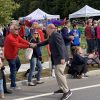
(6, 10)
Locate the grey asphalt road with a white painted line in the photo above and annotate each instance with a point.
(82, 89)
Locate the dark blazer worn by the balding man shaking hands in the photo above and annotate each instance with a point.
(57, 47)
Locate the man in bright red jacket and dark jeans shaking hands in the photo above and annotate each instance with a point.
(11, 47)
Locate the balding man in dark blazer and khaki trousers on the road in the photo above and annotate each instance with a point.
(60, 58)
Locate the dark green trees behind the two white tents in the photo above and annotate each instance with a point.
(61, 7)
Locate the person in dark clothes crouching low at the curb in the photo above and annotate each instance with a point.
(78, 64)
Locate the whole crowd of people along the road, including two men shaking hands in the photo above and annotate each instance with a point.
(63, 47)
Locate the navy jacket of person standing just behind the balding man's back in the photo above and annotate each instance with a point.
(65, 35)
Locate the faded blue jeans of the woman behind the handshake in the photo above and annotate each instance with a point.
(35, 65)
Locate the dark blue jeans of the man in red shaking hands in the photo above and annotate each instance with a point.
(14, 65)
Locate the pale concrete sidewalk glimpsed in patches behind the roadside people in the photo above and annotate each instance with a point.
(45, 65)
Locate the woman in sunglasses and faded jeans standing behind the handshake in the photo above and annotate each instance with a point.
(35, 62)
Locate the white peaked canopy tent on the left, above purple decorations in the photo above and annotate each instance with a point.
(39, 15)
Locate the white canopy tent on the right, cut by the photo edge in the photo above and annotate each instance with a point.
(86, 11)
